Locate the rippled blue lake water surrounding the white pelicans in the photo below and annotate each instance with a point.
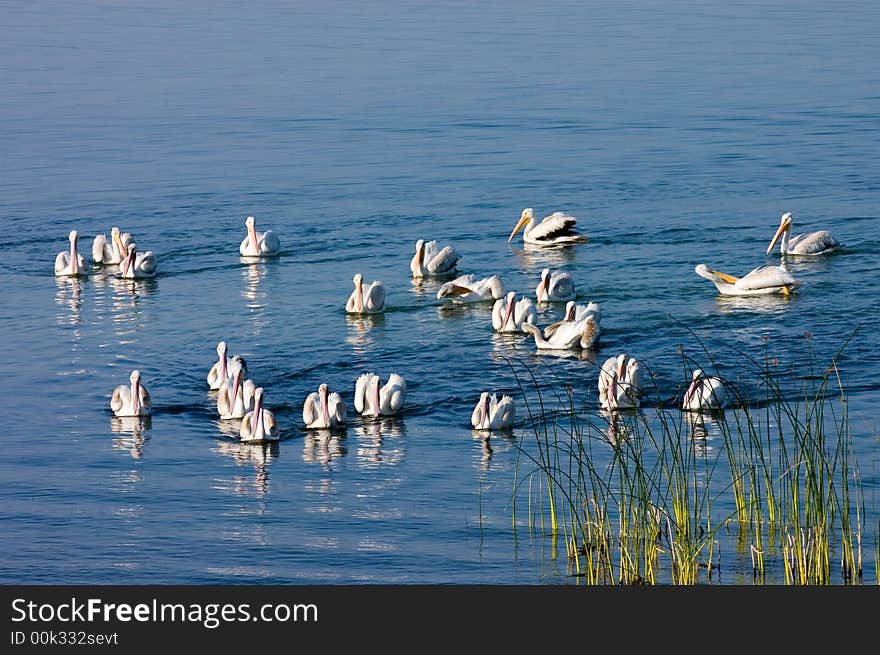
(677, 134)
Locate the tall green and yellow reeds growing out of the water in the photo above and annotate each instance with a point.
(634, 493)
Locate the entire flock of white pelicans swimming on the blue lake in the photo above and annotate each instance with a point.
(621, 378)
